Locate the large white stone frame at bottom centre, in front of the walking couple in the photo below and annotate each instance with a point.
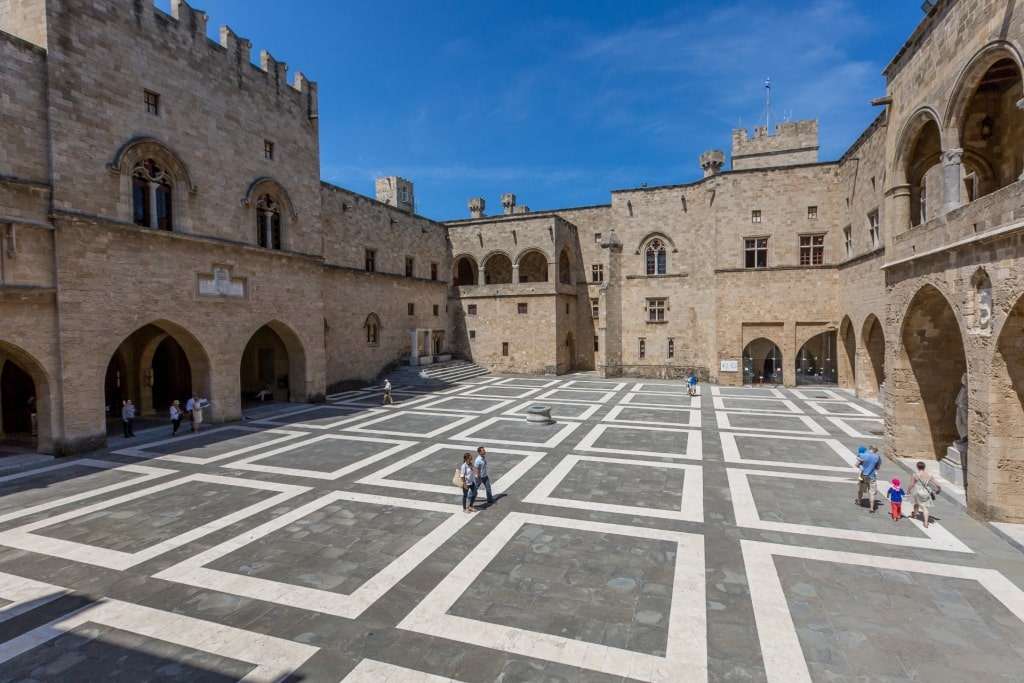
(688, 633)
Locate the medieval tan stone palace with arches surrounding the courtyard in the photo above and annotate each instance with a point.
(165, 233)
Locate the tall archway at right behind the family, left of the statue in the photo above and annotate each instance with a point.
(927, 376)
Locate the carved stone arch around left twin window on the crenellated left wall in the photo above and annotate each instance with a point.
(137, 151)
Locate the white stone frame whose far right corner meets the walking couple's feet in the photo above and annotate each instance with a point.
(193, 572)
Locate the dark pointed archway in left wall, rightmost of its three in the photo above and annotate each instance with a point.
(274, 357)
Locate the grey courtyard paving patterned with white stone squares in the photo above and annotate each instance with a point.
(646, 536)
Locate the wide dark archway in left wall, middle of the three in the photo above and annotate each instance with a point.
(157, 364)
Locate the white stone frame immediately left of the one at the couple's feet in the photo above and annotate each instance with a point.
(24, 539)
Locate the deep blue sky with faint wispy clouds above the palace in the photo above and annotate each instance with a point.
(562, 102)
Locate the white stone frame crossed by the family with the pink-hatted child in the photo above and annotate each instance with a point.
(747, 516)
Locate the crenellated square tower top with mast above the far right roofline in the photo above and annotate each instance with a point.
(794, 143)
